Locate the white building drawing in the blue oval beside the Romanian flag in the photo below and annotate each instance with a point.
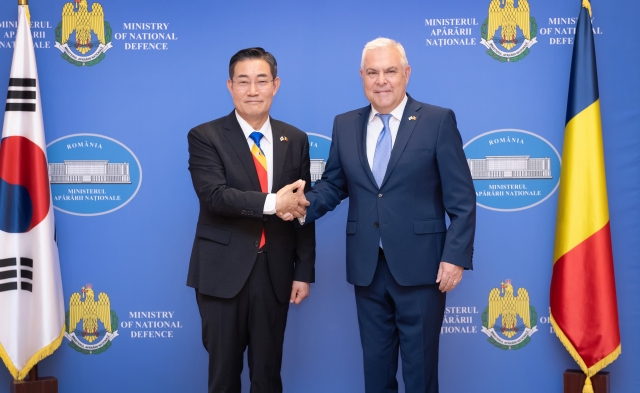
(510, 167)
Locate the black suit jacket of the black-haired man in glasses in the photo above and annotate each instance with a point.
(231, 210)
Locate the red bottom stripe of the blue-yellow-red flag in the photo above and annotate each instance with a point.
(583, 297)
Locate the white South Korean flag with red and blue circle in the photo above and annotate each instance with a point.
(31, 302)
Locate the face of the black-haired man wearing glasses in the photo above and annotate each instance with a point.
(252, 89)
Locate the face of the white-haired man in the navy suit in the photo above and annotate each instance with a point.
(384, 79)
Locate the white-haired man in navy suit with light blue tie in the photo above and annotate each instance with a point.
(402, 166)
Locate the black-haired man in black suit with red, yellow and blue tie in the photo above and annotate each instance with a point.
(246, 264)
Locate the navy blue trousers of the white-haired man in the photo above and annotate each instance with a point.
(392, 316)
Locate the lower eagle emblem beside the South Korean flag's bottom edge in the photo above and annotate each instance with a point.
(84, 318)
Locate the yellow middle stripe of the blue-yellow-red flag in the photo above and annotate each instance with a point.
(582, 201)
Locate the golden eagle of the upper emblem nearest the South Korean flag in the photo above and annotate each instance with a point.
(83, 22)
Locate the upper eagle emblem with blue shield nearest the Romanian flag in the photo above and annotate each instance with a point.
(500, 30)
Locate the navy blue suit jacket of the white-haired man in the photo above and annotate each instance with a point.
(427, 176)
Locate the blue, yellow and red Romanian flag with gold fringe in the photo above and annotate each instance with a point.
(584, 310)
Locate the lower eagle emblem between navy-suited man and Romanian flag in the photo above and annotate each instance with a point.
(500, 318)
